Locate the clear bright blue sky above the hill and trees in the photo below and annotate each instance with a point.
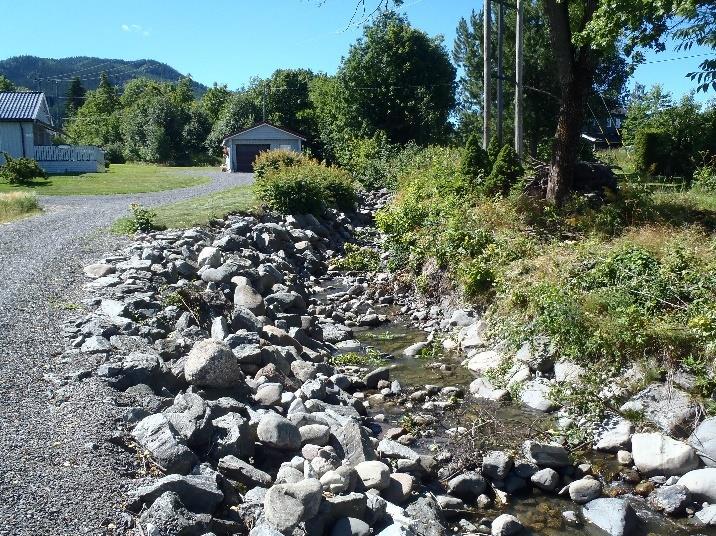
(228, 41)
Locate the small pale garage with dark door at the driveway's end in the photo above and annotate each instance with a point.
(241, 148)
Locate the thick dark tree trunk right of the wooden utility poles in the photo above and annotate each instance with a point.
(575, 70)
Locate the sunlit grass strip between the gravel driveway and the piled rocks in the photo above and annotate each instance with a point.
(198, 211)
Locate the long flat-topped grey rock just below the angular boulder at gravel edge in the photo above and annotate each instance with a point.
(199, 493)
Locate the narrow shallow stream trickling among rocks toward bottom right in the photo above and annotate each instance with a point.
(511, 424)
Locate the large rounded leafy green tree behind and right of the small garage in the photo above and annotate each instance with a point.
(398, 80)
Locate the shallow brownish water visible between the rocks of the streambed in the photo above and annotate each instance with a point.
(540, 513)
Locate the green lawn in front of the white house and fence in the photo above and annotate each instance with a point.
(119, 179)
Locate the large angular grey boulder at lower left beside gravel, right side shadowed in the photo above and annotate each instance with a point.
(157, 436)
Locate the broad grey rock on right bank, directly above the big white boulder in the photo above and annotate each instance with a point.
(671, 409)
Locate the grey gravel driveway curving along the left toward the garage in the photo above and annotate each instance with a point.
(58, 472)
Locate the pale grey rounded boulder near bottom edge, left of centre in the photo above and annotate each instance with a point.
(287, 505)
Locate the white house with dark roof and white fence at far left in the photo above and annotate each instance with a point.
(26, 130)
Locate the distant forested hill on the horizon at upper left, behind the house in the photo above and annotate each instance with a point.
(53, 76)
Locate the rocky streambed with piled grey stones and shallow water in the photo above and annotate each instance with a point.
(266, 394)
